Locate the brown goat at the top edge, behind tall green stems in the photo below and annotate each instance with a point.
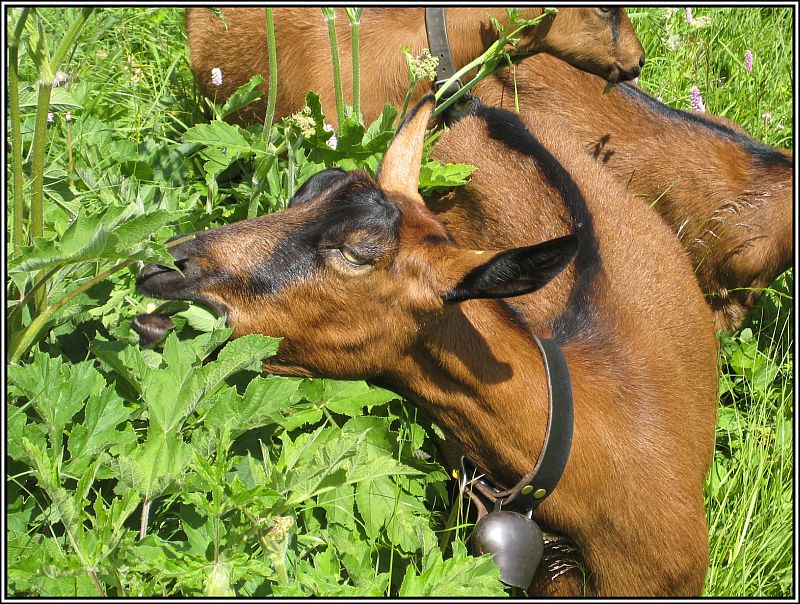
(599, 40)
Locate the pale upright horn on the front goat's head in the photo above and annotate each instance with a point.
(399, 170)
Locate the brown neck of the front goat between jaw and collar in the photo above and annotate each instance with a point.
(479, 375)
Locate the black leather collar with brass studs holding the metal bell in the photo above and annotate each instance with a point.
(529, 492)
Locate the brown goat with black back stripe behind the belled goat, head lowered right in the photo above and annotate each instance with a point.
(727, 196)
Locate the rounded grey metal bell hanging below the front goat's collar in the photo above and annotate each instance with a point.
(515, 542)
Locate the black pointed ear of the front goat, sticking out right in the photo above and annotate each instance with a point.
(516, 271)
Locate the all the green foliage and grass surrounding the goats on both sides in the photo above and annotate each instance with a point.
(181, 471)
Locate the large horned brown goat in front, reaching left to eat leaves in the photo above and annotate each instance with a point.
(363, 281)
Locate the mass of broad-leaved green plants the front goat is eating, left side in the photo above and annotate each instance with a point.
(180, 469)
